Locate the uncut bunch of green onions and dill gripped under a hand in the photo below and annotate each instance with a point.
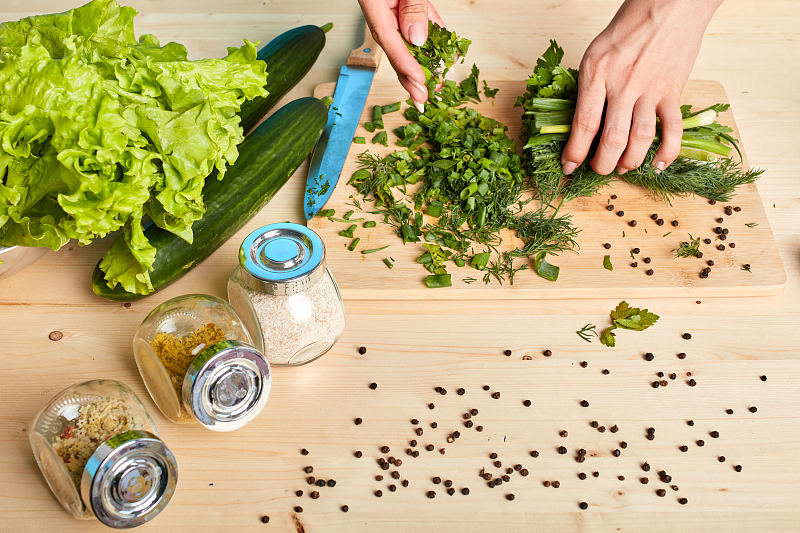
(704, 167)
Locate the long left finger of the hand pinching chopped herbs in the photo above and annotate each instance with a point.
(383, 26)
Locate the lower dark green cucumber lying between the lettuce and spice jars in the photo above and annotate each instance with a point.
(267, 159)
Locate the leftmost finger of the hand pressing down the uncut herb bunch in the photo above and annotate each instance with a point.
(585, 123)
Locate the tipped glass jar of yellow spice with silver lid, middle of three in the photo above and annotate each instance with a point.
(198, 362)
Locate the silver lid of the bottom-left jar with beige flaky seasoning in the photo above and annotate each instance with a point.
(129, 479)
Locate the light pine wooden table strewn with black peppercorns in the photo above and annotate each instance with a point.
(228, 481)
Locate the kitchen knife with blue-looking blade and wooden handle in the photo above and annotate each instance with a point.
(352, 88)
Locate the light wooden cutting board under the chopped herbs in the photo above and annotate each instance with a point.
(582, 274)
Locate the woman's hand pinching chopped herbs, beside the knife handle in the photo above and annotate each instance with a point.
(385, 17)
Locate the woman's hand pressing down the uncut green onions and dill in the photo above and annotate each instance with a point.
(637, 68)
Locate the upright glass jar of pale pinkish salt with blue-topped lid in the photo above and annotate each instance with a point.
(286, 295)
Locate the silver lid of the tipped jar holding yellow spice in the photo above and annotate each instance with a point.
(227, 385)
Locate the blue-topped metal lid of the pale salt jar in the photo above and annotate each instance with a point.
(282, 259)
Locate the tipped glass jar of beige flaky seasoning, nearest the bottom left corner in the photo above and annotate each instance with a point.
(101, 455)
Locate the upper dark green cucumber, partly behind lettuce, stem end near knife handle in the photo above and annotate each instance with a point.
(289, 57)
